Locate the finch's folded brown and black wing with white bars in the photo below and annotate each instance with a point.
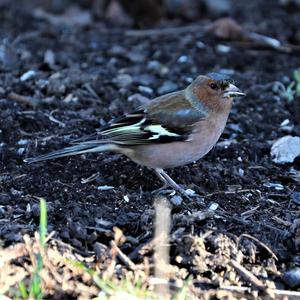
(166, 119)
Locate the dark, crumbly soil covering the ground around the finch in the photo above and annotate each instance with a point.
(76, 88)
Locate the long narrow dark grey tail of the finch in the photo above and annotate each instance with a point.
(73, 150)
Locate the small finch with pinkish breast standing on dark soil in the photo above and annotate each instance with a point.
(171, 130)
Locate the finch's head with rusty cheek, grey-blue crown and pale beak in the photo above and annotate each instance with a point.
(215, 91)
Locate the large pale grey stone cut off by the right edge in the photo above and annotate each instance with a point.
(286, 149)
